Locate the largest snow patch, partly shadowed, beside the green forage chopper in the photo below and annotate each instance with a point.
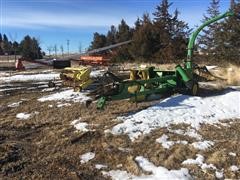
(181, 109)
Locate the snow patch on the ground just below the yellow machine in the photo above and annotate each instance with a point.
(68, 95)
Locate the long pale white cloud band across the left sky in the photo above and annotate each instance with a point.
(40, 19)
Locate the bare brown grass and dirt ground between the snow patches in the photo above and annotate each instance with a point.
(47, 146)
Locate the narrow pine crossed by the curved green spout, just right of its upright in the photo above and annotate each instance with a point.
(208, 39)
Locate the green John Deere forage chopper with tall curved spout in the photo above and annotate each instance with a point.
(144, 82)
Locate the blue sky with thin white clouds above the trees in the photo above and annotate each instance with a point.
(55, 21)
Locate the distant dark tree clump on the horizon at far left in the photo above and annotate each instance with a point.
(28, 48)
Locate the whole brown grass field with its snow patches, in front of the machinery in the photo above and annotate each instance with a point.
(49, 133)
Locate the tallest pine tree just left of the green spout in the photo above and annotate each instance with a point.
(170, 30)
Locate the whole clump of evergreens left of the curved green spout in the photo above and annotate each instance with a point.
(163, 39)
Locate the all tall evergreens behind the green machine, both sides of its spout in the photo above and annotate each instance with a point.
(164, 37)
